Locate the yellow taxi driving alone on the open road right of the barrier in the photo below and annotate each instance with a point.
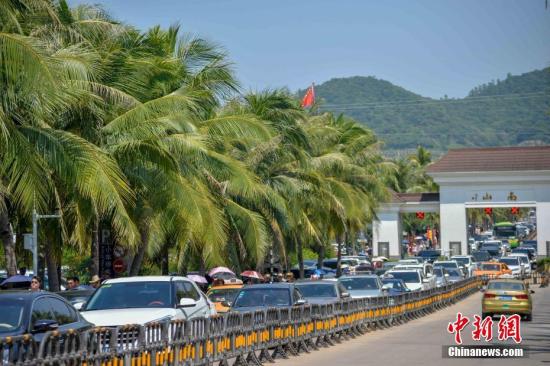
(507, 296)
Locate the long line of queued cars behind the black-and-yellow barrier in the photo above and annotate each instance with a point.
(156, 298)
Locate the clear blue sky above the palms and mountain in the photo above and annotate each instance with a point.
(431, 47)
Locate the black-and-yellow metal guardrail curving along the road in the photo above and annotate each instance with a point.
(249, 338)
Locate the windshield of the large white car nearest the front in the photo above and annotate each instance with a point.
(131, 295)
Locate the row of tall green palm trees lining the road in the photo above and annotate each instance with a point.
(147, 134)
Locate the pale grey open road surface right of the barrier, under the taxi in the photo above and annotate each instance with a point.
(420, 341)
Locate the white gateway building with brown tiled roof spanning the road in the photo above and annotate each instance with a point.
(473, 178)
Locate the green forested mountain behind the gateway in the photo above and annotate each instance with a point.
(514, 111)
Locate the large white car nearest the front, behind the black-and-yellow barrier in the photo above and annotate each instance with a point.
(142, 300)
